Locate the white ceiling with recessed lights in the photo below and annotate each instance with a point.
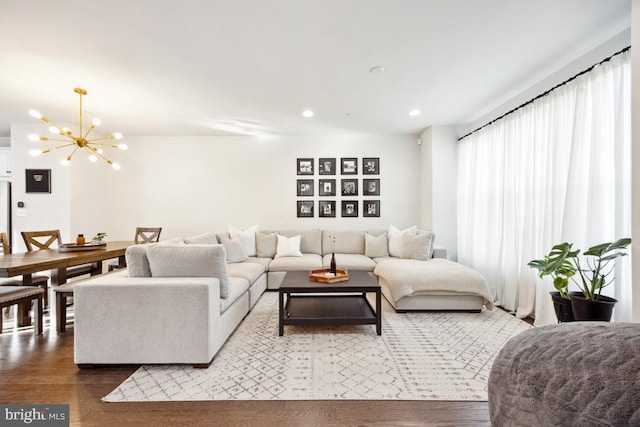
(223, 67)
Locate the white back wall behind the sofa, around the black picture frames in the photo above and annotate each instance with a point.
(190, 185)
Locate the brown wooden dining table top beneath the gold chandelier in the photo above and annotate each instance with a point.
(28, 263)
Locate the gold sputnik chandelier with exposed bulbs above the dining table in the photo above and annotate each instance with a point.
(78, 142)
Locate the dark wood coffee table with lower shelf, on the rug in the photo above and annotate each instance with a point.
(341, 303)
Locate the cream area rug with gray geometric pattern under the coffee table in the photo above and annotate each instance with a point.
(420, 356)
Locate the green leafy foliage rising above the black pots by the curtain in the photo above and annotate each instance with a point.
(590, 272)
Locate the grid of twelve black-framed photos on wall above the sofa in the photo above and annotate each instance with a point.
(327, 187)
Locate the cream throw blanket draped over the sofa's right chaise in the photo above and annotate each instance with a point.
(407, 277)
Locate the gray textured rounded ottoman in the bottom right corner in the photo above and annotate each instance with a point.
(570, 374)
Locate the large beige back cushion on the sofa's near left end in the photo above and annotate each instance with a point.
(195, 260)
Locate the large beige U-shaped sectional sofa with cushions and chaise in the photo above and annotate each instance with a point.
(179, 300)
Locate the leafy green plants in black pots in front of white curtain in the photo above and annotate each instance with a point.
(590, 273)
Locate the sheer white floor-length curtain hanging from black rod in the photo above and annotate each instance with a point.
(558, 169)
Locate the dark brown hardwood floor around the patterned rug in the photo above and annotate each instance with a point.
(40, 370)
